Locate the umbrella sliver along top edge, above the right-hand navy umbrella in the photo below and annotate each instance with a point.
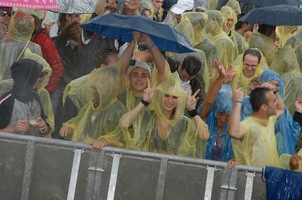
(265, 3)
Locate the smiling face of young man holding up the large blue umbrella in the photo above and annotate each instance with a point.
(139, 79)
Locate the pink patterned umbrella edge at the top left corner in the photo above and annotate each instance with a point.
(31, 4)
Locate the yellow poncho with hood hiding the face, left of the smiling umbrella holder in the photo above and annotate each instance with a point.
(101, 121)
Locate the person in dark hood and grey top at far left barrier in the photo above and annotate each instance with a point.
(21, 109)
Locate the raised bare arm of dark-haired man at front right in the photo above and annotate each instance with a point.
(234, 122)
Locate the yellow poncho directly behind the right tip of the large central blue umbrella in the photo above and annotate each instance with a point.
(198, 21)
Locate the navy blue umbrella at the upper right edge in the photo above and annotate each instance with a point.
(275, 15)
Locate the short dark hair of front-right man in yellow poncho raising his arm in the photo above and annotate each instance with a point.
(258, 97)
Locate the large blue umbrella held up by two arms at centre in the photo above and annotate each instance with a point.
(120, 27)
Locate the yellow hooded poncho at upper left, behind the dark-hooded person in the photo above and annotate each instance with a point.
(20, 30)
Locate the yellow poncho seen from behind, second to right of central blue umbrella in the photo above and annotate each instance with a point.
(225, 46)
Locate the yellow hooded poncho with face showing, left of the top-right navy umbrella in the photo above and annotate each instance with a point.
(239, 40)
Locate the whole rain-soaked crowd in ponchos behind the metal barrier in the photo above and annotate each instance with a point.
(236, 98)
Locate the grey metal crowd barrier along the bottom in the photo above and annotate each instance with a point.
(33, 168)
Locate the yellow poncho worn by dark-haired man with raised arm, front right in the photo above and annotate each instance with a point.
(258, 147)
